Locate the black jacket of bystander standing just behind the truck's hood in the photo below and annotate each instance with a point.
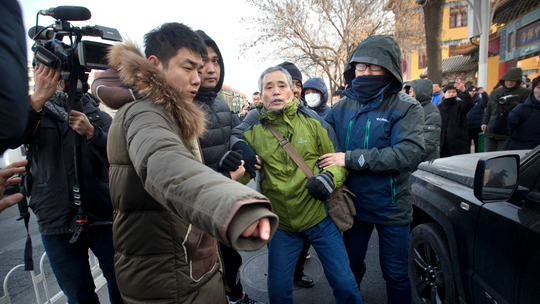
(454, 123)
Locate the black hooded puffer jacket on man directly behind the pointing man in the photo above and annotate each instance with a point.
(215, 143)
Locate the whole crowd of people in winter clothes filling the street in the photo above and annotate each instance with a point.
(163, 202)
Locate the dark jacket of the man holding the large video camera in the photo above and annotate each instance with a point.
(53, 169)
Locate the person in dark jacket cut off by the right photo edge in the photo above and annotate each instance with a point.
(523, 122)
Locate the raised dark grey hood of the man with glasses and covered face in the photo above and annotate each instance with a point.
(379, 49)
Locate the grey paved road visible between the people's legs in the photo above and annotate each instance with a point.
(253, 272)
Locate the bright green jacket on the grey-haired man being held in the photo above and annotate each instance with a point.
(282, 181)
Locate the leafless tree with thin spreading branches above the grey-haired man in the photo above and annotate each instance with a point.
(319, 36)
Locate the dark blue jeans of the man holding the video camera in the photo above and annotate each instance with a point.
(71, 267)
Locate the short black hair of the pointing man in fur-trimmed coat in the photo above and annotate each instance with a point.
(165, 40)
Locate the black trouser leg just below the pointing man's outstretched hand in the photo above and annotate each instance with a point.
(232, 261)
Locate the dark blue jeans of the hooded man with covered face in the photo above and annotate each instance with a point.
(393, 256)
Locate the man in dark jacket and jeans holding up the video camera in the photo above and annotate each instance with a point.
(53, 169)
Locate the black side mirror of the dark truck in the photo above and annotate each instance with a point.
(496, 178)
